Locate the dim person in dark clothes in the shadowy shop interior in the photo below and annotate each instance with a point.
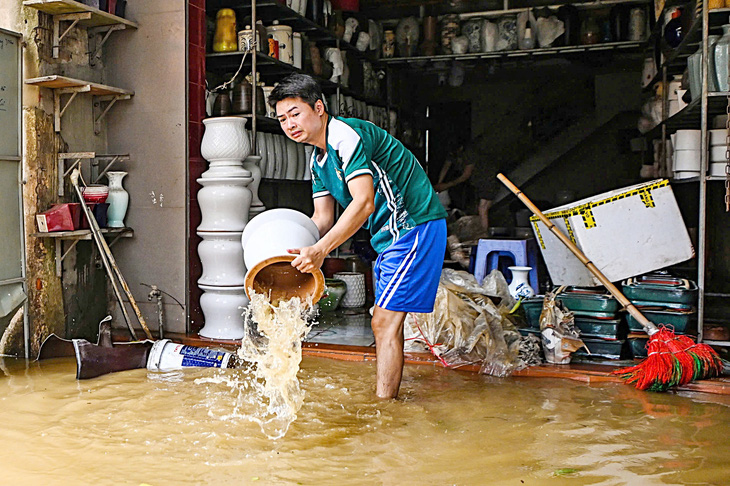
(474, 164)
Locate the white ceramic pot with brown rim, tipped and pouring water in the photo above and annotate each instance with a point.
(265, 241)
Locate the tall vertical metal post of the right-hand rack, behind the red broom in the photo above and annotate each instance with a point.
(702, 226)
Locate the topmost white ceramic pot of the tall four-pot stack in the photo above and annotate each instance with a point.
(225, 144)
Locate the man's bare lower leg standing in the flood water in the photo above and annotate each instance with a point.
(388, 330)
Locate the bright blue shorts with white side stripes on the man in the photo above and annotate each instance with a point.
(407, 273)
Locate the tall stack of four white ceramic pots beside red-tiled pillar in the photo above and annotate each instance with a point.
(224, 200)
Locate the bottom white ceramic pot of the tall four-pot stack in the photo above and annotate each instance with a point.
(223, 311)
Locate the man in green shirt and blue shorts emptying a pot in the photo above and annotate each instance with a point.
(381, 184)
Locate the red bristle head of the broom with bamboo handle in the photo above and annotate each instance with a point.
(672, 360)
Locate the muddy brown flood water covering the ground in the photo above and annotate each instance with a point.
(448, 427)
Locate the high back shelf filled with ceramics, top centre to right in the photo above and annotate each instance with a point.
(519, 33)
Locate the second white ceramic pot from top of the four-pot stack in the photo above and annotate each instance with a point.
(224, 203)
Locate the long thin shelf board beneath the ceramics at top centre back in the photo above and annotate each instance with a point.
(419, 61)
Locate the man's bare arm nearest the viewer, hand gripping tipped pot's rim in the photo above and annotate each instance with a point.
(357, 213)
